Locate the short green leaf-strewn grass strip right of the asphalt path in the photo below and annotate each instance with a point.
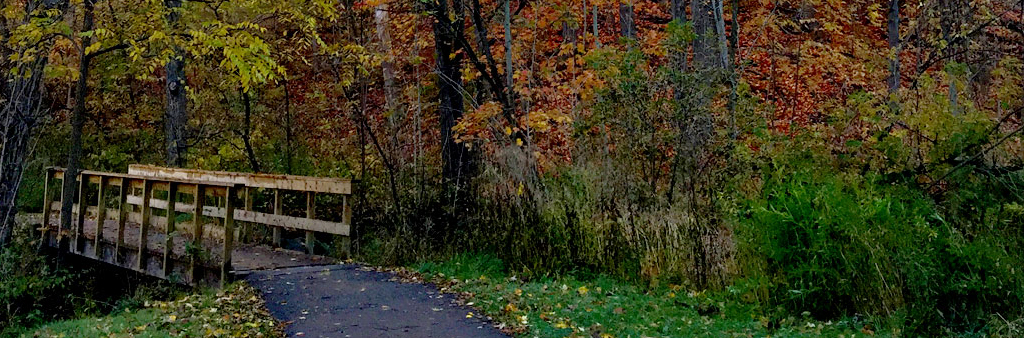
(602, 307)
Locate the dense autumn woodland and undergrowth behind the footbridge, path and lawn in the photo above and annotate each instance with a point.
(841, 157)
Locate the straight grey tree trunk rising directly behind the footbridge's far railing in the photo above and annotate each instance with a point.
(176, 115)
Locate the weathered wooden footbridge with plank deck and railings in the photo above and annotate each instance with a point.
(197, 227)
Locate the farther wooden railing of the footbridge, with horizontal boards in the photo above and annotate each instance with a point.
(278, 185)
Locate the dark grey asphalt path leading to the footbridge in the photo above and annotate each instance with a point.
(342, 302)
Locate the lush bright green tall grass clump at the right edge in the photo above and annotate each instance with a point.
(836, 240)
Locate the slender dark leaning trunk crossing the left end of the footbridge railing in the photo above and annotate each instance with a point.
(77, 122)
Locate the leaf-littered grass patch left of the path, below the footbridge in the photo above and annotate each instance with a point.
(235, 312)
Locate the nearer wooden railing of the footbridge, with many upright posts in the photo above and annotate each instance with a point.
(137, 199)
